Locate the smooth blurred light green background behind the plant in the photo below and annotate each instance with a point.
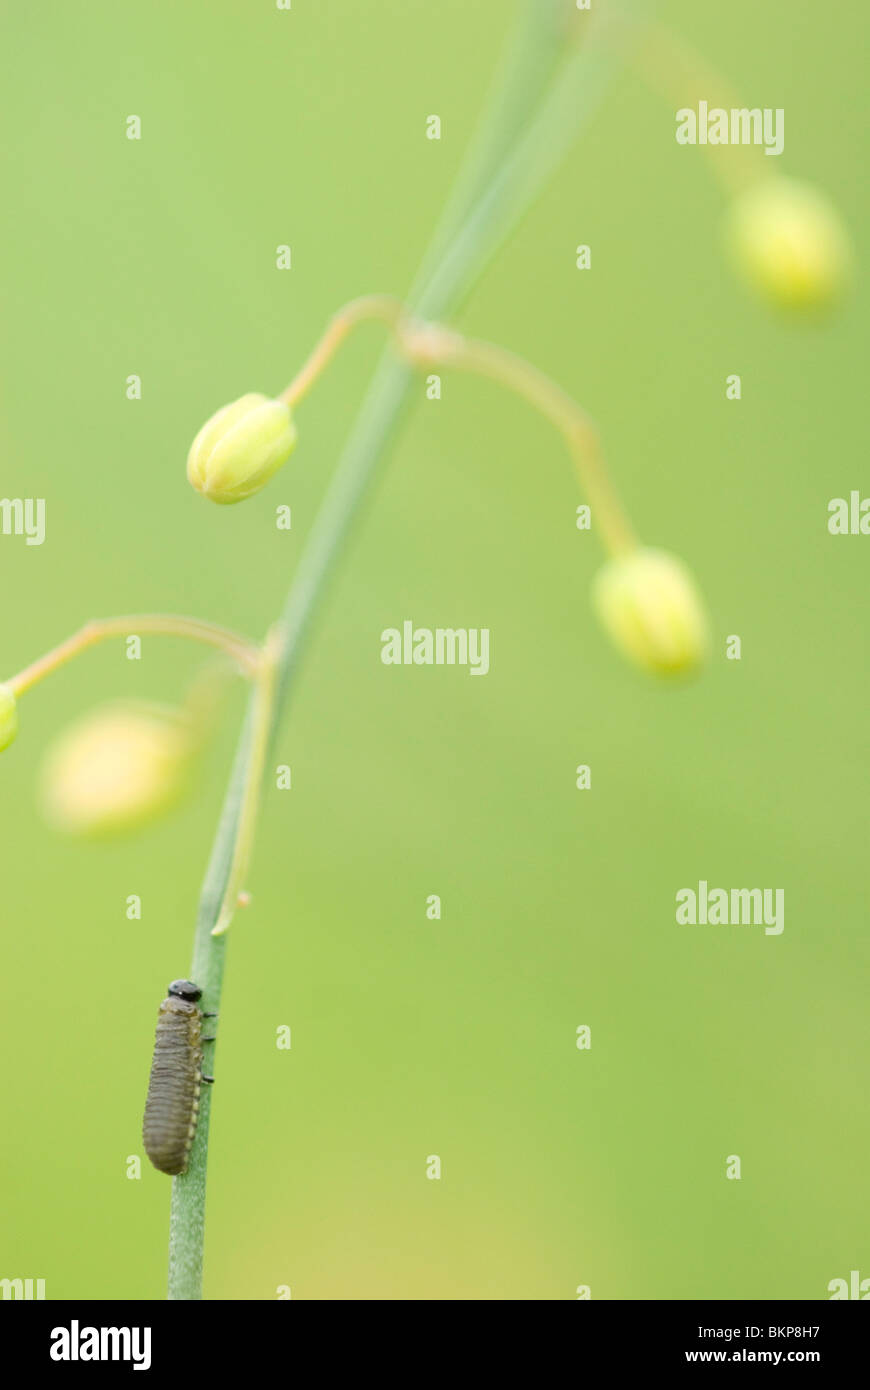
(454, 1038)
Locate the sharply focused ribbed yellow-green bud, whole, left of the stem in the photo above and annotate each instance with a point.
(238, 451)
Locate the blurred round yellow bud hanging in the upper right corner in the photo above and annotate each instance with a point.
(789, 240)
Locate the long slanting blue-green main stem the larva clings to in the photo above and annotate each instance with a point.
(466, 240)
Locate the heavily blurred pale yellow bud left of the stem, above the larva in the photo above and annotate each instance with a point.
(116, 769)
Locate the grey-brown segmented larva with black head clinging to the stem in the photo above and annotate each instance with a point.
(172, 1109)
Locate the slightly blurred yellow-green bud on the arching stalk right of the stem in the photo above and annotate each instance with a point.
(651, 608)
